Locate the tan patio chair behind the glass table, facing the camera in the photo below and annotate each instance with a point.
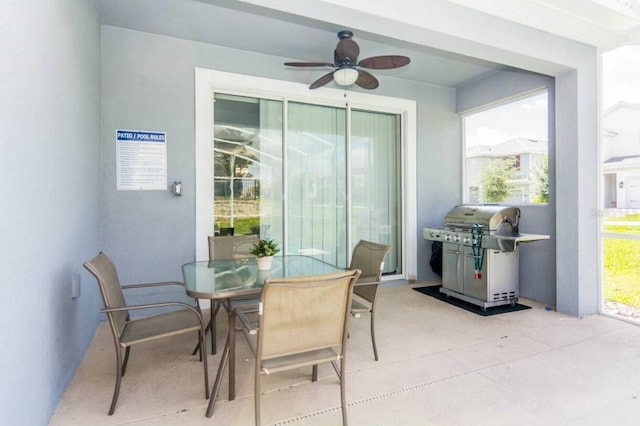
(229, 247)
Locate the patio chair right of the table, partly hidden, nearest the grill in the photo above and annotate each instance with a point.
(369, 258)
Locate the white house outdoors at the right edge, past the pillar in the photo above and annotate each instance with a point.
(621, 156)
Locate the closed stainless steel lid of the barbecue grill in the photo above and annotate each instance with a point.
(503, 219)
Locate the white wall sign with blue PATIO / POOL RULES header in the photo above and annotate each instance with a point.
(141, 160)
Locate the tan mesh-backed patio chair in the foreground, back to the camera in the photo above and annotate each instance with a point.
(302, 322)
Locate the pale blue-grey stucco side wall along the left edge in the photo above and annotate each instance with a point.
(49, 170)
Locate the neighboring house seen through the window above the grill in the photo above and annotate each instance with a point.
(528, 154)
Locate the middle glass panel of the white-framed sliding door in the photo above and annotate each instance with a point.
(316, 178)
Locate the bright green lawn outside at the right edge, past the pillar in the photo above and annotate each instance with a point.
(622, 262)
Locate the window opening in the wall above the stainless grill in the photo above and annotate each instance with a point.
(506, 153)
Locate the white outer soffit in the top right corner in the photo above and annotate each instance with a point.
(600, 23)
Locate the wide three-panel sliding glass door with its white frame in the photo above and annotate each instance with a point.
(315, 174)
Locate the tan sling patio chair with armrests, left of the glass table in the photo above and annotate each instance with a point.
(128, 332)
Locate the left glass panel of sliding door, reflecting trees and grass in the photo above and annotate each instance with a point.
(247, 166)
